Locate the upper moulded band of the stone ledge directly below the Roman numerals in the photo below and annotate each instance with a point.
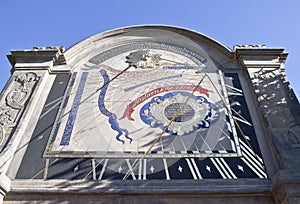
(198, 187)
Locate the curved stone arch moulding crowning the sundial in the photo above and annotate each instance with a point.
(170, 35)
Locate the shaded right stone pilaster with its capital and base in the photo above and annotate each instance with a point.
(281, 112)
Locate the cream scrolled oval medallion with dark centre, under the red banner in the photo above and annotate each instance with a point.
(193, 114)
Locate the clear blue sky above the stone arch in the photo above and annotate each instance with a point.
(30, 23)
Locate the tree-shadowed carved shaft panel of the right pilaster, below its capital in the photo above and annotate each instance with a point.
(280, 112)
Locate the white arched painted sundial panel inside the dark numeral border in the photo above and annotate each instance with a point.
(116, 113)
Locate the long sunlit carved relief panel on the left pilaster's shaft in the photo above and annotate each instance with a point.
(15, 101)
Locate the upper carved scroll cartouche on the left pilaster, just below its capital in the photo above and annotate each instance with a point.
(19, 95)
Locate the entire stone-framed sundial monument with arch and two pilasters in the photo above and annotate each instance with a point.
(149, 113)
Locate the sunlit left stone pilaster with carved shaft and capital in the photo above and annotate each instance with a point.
(20, 98)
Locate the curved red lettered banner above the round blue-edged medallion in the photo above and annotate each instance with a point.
(130, 107)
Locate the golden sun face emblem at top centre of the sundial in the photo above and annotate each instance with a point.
(143, 59)
